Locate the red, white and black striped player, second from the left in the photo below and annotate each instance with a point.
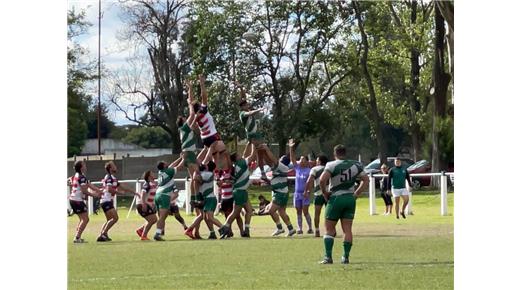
(110, 187)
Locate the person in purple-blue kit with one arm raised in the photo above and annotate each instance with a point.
(301, 198)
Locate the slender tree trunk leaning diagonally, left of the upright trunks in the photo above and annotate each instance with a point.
(377, 120)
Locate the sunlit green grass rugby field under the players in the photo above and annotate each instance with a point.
(416, 253)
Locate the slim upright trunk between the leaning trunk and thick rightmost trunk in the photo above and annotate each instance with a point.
(414, 105)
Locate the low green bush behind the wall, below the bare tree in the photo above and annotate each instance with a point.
(148, 137)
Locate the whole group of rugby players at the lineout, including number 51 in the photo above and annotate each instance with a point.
(333, 184)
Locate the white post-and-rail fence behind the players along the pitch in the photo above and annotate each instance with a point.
(371, 193)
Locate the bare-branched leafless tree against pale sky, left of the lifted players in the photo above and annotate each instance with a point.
(159, 27)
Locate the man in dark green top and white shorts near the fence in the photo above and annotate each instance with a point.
(397, 177)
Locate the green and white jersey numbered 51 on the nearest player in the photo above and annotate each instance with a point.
(343, 175)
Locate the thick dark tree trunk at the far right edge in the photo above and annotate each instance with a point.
(441, 80)
